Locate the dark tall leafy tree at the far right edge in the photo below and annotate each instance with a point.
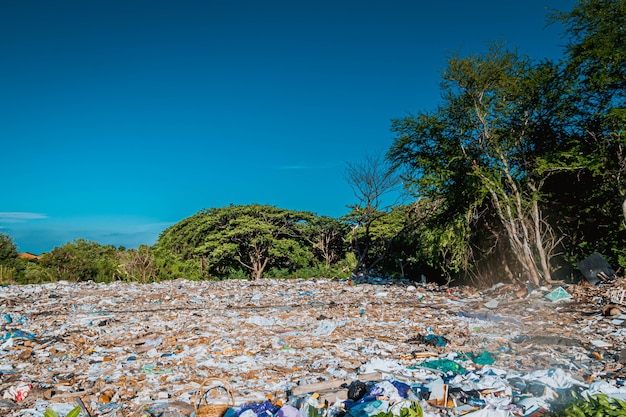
(588, 182)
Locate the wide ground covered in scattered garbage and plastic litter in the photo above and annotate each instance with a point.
(308, 348)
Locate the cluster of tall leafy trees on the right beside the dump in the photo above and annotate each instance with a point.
(522, 148)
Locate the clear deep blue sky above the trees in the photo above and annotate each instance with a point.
(121, 118)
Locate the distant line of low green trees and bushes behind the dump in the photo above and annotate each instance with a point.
(246, 242)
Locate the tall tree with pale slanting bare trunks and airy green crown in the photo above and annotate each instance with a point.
(474, 155)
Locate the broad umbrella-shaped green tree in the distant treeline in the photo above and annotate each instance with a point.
(253, 237)
